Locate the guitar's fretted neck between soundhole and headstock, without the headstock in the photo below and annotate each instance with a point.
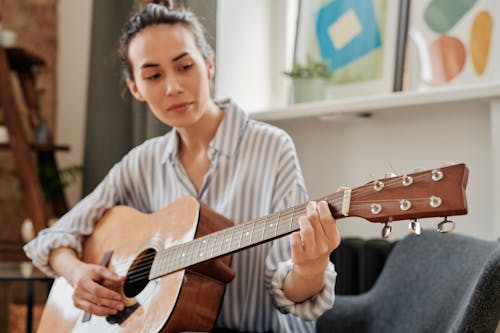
(234, 239)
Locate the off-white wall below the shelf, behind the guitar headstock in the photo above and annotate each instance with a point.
(351, 151)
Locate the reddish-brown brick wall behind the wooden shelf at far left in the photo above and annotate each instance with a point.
(35, 22)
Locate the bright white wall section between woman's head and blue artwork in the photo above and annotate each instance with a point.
(251, 52)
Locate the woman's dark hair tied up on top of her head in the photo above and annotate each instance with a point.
(153, 12)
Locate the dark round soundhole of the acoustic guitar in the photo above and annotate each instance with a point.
(137, 276)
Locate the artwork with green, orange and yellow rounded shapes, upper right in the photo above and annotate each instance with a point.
(452, 42)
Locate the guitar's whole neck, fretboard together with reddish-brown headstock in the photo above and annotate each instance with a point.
(430, 193)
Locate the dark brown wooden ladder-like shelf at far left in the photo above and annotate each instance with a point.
(23, 64)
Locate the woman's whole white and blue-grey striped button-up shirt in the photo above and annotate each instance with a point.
(254, 171)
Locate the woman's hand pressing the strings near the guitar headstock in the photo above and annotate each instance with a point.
(311, 247)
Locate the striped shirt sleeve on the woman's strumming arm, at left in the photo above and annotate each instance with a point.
(79, 222)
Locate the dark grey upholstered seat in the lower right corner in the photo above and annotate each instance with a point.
(431, 283)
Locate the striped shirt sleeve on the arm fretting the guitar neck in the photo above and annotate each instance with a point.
(290, 191)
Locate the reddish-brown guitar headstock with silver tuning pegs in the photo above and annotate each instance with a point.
(433, 193)
